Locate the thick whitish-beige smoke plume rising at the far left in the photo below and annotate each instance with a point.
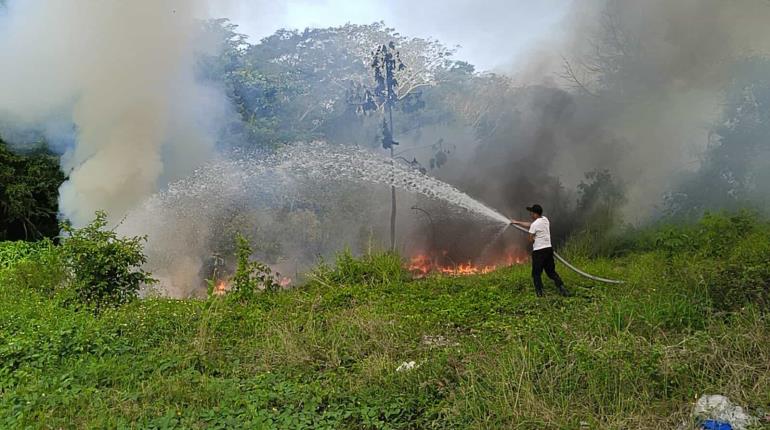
(121, 74)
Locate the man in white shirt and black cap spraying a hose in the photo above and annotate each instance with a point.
(542, 251)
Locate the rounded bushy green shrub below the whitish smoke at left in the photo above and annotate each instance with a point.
(105, 269)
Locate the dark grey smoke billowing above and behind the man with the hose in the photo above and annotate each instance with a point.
(634, 88)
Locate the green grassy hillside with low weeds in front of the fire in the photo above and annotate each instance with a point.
(488, 353)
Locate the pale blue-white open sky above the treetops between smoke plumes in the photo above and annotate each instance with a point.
(492, 34)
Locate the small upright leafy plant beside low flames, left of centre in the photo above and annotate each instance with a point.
(250, 276)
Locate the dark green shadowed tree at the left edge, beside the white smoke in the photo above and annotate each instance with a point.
(29, 185)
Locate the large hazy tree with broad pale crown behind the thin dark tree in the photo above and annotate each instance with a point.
(298, 85)
